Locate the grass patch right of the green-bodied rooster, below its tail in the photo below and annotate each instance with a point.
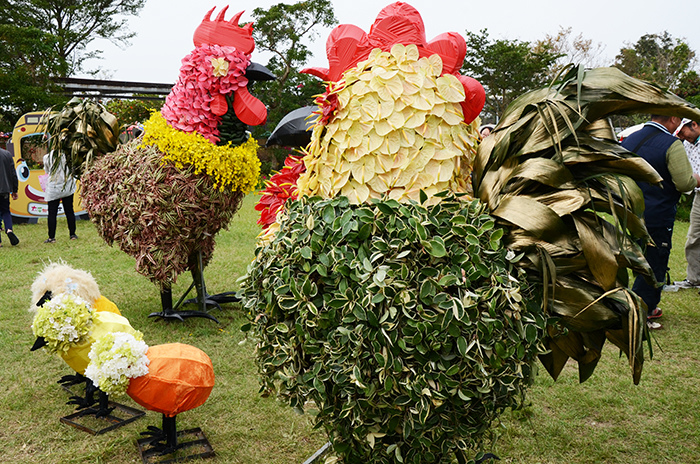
(608, 419)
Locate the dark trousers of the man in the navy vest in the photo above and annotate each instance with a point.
(657, 257)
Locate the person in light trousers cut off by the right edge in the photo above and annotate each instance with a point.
(689, 132)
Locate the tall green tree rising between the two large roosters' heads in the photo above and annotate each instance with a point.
(283, 30)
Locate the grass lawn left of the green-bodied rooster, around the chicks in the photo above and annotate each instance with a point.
(242, 426)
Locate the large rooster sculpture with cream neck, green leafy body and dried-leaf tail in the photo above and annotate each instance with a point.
(414, 281)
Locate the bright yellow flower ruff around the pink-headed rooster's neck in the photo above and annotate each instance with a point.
(230, 167)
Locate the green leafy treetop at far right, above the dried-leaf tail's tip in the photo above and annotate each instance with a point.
(657, 58)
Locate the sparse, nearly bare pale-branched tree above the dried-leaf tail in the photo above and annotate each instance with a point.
(577, 50)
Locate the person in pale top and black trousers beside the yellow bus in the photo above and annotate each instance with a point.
(60, 188)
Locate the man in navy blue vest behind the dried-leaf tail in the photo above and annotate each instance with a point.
(664, 152)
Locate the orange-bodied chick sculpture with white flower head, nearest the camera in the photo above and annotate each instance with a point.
(170, 379)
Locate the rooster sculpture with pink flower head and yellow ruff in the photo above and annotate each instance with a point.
(163, 197)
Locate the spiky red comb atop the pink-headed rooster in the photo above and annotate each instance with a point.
(225, 33)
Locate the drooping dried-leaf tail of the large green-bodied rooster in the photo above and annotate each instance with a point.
(553, 172)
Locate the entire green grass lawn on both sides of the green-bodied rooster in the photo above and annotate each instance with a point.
(605, 420)
